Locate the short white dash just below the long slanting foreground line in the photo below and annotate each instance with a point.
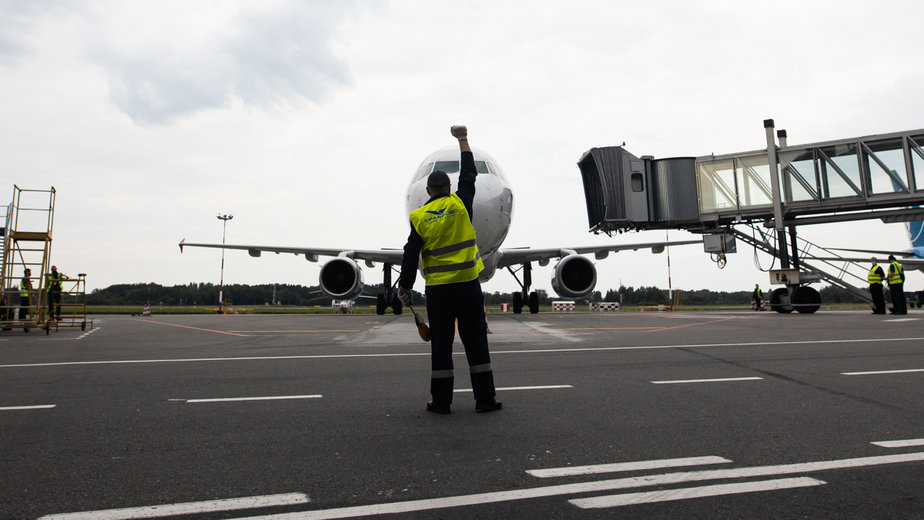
(629, 499)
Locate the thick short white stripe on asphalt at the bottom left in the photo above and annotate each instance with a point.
(188, 508)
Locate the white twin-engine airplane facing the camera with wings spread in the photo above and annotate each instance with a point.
(574, 275)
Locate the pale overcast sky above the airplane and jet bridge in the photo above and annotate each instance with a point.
(307, 119)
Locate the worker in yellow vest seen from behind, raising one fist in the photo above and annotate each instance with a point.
(442, 239)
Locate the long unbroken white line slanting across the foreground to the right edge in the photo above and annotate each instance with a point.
(589, 487)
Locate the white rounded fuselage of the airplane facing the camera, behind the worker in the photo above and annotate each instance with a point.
(492, 207)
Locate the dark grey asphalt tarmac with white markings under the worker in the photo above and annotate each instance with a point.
(628, 415)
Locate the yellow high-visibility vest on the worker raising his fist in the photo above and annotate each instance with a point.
(450, 254)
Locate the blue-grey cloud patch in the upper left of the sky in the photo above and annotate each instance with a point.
(262, 59)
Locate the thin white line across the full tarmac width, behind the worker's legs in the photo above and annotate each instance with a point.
(498, 352)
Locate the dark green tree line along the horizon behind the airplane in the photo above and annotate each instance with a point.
(285, 294)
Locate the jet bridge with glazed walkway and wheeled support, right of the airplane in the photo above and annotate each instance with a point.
(769, 192)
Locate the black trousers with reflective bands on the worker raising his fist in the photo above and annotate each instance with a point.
(446, 304)
